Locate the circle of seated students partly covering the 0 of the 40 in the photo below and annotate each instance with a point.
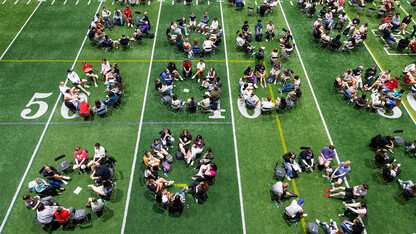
(248, 95)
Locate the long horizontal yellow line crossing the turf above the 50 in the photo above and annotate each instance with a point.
(116, 61)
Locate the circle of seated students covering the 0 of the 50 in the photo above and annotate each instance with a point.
(78, 104)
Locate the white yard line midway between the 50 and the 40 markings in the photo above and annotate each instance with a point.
(133, 166)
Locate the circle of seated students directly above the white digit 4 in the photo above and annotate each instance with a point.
(211, 81)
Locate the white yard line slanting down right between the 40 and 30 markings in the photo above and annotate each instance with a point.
(316, 102)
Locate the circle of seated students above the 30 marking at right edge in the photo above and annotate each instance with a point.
(383, 96)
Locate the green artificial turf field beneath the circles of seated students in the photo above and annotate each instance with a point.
(43, 39)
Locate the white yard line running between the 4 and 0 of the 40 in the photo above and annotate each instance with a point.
(240, 192)
